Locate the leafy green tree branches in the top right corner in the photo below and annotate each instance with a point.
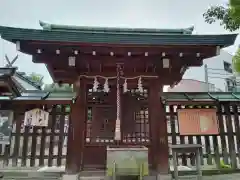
(228, 16)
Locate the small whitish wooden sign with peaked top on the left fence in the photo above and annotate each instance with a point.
(36, 117)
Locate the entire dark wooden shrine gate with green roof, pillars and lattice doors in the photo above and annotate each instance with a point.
(118, 75)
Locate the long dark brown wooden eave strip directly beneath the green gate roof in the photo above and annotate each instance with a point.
(126, 50)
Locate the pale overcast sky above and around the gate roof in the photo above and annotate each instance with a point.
(104, 13)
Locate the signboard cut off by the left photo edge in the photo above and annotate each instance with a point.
(6, 119)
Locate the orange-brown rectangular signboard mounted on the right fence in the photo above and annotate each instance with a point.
(198, 122)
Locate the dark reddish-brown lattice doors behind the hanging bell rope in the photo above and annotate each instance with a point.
(101, 121)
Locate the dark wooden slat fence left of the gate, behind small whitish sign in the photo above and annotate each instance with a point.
(38, 146)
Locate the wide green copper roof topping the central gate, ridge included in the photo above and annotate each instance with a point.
(123, 36)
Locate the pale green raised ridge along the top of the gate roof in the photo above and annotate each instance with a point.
(87, 29)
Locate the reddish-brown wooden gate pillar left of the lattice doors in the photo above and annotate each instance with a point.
(76, 135)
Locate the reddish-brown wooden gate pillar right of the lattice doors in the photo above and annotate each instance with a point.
(158, 128)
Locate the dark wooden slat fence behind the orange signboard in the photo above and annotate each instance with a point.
(216, 148)
